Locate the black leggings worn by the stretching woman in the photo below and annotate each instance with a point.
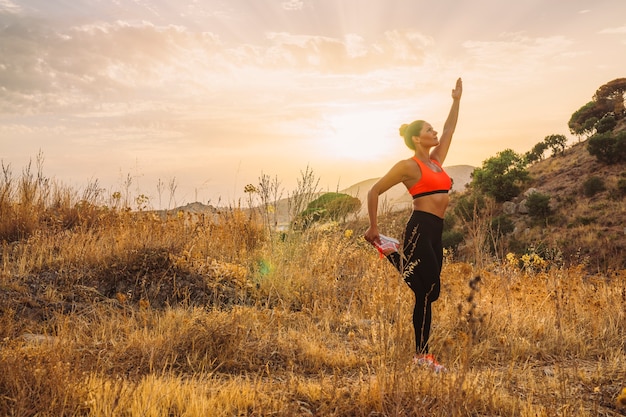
(420, 265)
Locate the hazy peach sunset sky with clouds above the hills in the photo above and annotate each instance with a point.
(191, 100)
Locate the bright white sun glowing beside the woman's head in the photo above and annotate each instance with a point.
(360, 134)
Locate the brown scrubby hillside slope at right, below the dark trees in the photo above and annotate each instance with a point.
(590, 230)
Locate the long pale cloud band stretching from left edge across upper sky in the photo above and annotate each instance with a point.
(82, 68)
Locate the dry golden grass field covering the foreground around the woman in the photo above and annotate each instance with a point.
(107, 312)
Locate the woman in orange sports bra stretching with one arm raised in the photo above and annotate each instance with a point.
(422, 252)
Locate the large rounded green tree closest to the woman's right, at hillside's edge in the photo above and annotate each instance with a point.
(502, 176)
